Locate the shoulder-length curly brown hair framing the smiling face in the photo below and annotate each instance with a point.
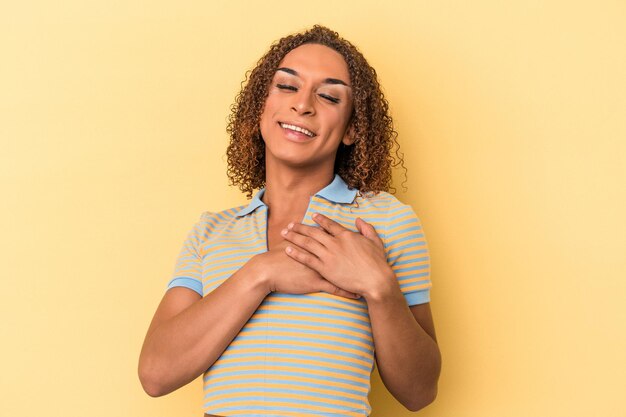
(365, 164)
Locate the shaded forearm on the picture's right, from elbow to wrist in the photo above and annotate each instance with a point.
(408, 358)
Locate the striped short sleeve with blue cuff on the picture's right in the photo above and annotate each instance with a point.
(407, 253)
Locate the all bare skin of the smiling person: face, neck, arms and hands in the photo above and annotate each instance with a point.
(188, 333)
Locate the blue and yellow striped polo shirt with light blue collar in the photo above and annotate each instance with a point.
(299, 355)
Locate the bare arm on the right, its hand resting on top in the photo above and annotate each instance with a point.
(407, 354)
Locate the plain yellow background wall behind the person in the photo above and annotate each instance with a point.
(511, 119)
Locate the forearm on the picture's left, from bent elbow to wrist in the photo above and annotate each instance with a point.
(182, 347)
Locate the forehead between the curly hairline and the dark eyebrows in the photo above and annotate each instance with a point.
(314, 60)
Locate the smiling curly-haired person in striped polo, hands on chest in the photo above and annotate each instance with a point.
(283, 302)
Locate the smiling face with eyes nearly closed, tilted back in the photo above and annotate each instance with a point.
(307, 111)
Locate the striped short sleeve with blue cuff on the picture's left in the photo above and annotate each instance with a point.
(188, 269)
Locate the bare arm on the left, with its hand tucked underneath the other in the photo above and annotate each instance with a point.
(189, 333)
